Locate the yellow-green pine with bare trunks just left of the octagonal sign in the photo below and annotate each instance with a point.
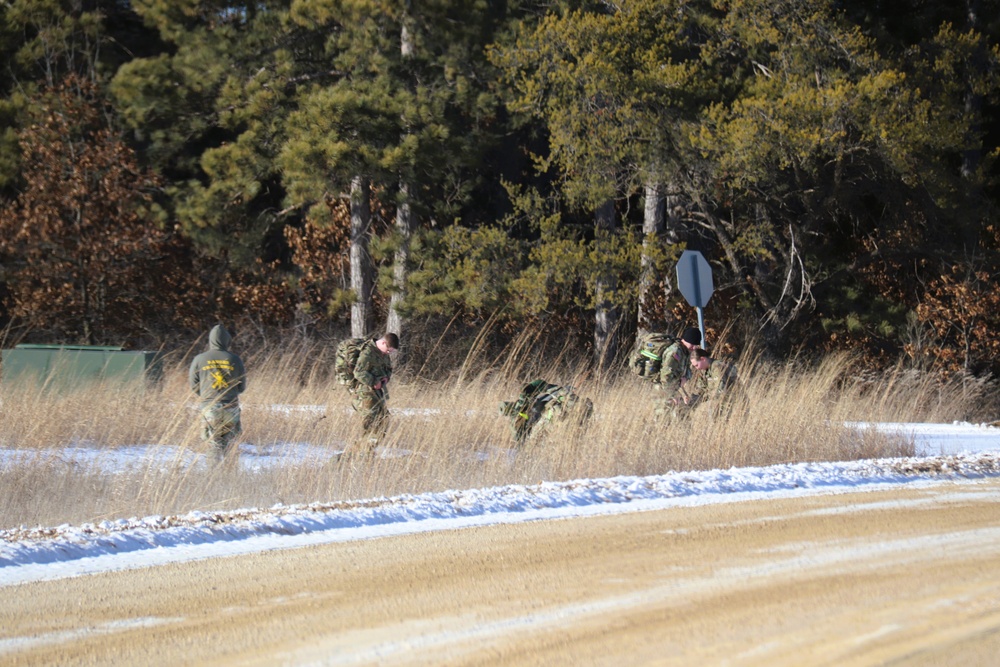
(613, 87)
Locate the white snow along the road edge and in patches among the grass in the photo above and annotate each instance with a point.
(956, 451)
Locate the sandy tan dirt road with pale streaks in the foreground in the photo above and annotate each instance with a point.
(903, 577)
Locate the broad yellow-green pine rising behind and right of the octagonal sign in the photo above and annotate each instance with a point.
(824, 158)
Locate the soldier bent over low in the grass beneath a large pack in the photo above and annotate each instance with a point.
(541, 405)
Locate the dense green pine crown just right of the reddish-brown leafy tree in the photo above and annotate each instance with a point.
(209, 113)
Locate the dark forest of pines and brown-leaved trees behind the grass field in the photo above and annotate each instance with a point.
(463, 172)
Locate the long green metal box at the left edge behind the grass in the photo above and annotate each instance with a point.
(71, 366)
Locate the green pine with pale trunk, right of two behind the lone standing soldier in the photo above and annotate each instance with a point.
(404, 116)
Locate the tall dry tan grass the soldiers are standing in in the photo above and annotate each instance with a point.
(444, 434)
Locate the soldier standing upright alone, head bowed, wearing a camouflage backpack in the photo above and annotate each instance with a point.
(370, 387)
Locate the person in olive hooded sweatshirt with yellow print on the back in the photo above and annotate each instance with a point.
(218, 378)
